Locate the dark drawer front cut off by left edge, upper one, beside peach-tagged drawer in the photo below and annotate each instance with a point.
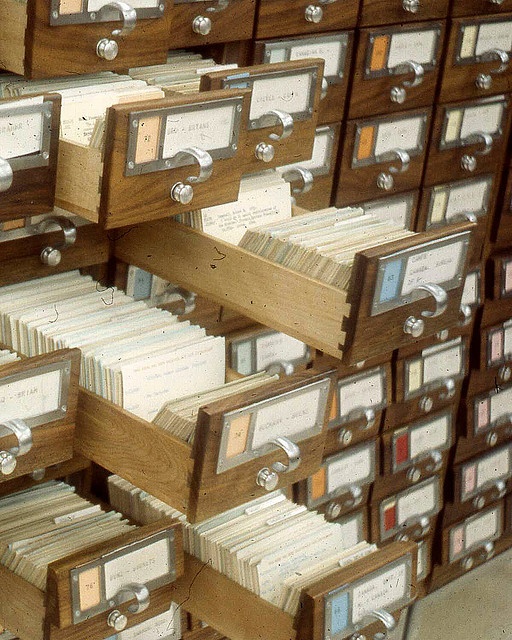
(29, 138)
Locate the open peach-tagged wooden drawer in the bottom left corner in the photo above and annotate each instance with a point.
(85, 588)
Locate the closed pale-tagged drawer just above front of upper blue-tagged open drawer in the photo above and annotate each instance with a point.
(469, 199)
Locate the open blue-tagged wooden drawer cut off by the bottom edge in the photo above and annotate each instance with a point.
(353, 599)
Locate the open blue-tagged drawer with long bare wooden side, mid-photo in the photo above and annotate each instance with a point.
(383, 306)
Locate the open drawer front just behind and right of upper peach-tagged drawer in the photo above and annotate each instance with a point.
(283, 113)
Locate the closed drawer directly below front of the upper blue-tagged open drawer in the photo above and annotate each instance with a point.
(357, 407)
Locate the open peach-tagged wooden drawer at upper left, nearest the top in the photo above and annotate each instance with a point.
(149, 166)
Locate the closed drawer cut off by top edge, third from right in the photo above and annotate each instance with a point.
(278, 18)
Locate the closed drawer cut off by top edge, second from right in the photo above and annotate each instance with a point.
(378, 12)
